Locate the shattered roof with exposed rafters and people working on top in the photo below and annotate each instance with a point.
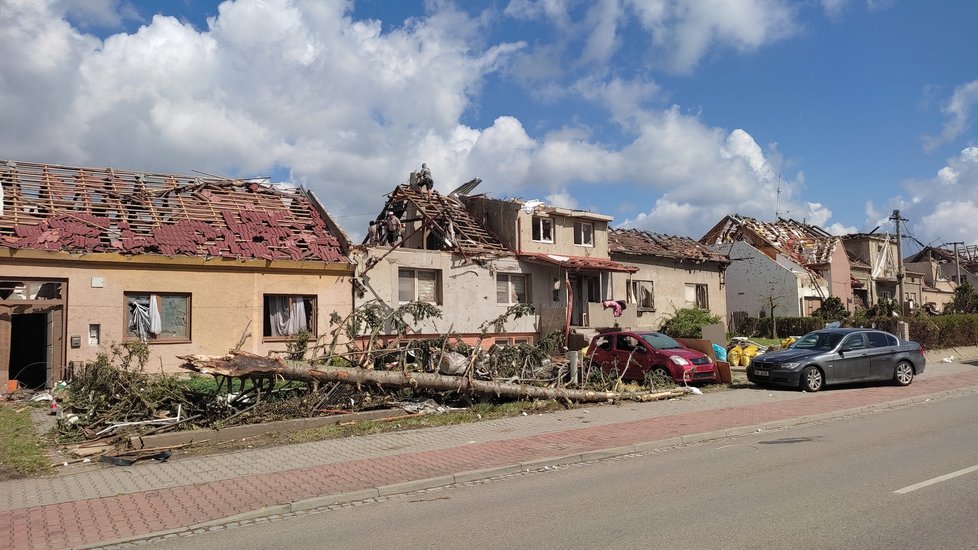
(449, 218)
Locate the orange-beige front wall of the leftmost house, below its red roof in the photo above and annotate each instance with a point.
(226, 298)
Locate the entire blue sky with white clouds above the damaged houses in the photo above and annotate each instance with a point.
(666, 114)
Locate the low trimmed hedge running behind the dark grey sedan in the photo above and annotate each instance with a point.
(933, 332)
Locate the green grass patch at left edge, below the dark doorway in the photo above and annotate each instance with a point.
(21, 451)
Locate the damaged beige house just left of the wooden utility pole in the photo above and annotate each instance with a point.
(875, 265)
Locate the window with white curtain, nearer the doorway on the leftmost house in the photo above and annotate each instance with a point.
(158, 317)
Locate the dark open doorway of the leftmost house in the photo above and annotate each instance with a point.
(29, 354)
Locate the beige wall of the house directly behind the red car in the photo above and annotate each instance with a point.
(669, 280)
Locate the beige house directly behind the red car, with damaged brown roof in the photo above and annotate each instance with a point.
(673, 273)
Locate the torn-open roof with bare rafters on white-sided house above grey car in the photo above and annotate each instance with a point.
(807, 245)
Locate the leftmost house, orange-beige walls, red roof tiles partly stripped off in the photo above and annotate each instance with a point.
(90, 257)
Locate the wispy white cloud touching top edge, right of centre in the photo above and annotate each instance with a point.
(686, 30)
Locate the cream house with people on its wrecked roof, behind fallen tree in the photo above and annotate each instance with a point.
(443, 255)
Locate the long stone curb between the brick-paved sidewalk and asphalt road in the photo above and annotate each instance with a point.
(535, 465)
